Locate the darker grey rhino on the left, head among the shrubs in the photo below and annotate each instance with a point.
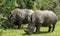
(18, 17)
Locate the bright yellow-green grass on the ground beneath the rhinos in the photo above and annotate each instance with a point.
(20, 32)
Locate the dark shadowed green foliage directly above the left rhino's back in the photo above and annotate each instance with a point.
(25, 3)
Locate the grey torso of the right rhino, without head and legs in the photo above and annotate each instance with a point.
(46, 17)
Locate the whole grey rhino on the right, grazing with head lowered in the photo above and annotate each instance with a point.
(43, 18)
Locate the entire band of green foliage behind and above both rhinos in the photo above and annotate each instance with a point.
(7, 5)
